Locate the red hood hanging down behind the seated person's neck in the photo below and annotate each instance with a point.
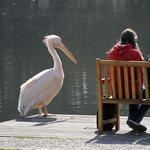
(121, 49)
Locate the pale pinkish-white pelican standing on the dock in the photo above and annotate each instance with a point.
(39, 91)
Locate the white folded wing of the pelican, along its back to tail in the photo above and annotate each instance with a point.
(33, 88)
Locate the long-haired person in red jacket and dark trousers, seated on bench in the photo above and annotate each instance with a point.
(127, 49)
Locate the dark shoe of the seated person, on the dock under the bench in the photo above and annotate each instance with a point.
(136, 125)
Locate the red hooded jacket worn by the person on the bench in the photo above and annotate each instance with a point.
(125, 53)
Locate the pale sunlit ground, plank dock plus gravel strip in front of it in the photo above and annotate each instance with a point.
(71, 128)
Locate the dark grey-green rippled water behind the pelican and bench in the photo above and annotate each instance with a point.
(87, 28)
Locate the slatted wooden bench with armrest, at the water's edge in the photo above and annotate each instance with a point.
(103, 87)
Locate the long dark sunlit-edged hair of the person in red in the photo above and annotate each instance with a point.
(128, 36)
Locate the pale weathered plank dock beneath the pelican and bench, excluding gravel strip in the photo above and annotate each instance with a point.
(67, 126)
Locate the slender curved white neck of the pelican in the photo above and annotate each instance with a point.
(55, 56)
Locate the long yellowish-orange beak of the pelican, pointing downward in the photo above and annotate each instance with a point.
(66, 51)
